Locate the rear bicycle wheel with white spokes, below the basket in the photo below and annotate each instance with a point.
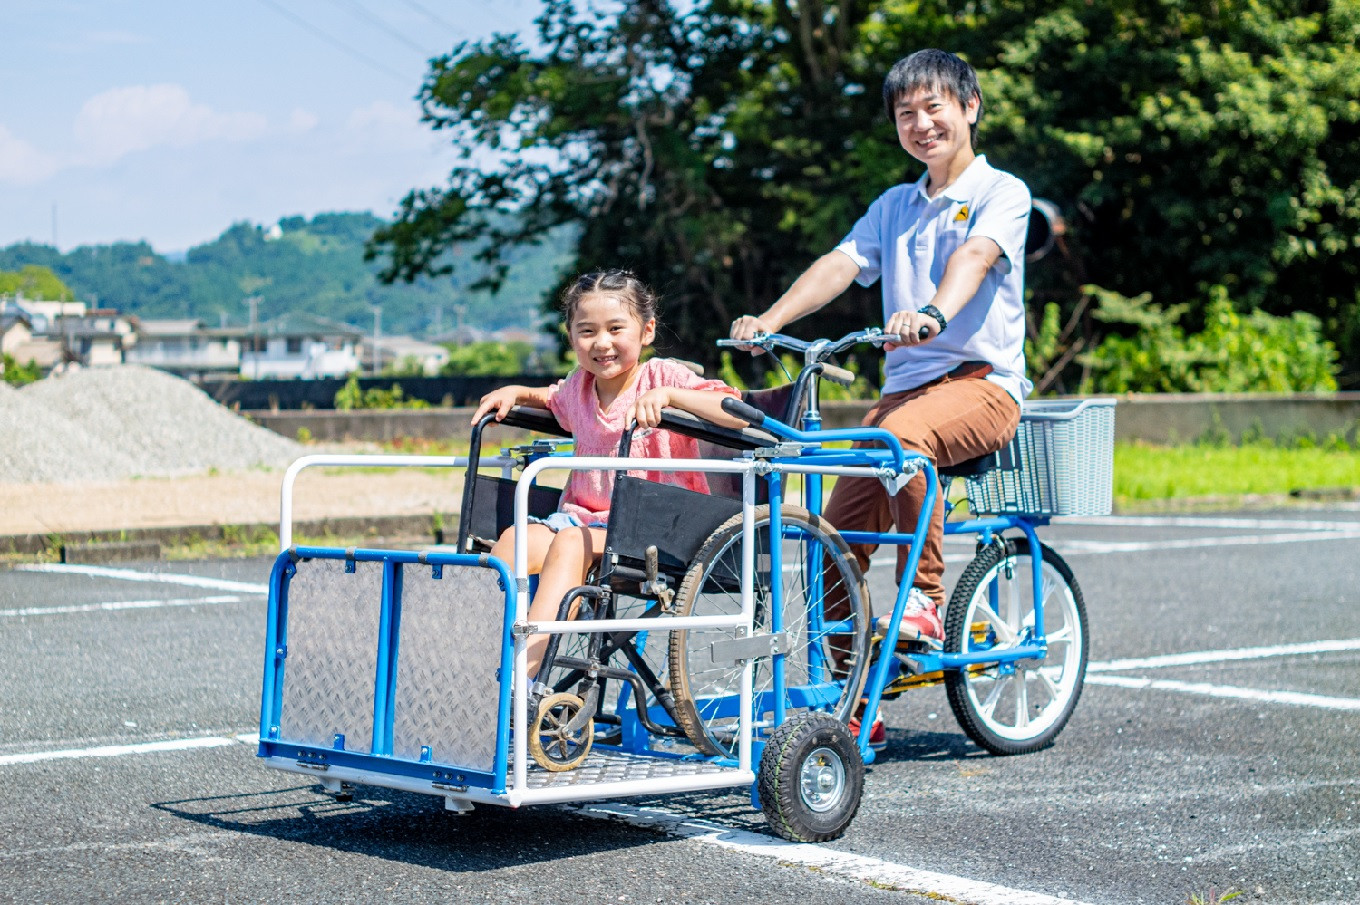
(1021, 707)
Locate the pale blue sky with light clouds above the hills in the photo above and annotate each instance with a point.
(126, 120)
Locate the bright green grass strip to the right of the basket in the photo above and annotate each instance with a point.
(1144, 473)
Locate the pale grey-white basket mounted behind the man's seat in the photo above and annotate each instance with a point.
(1060, 463)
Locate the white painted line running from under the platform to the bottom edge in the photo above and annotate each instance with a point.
(825, 861)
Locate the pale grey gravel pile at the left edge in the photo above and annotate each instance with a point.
(109, 424)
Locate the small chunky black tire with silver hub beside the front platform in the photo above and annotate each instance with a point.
(811, 779)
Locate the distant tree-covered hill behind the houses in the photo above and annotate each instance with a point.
(315, 266)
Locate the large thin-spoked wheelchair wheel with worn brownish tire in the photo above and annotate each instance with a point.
(711, 589)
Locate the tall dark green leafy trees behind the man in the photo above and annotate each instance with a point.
(719, 146)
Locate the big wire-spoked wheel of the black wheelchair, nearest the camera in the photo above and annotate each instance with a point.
(826, 662)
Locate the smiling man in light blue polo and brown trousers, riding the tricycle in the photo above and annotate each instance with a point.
(950, 254)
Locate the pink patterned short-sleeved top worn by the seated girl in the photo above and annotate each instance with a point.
(598, 433)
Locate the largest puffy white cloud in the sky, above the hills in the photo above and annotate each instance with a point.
(120, 122)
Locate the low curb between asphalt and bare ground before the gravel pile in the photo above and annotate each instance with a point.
(97, 544)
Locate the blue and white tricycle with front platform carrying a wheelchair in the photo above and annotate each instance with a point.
(726, 640)
